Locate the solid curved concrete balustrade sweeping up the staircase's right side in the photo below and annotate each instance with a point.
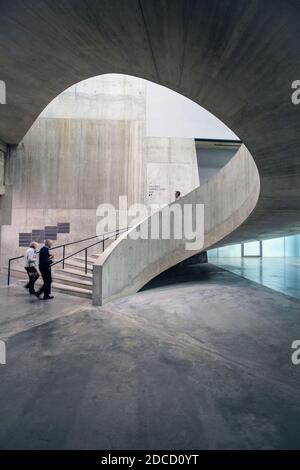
(228, 198)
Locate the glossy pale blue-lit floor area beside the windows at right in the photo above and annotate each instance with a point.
(281, 274)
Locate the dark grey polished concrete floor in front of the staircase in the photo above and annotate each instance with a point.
(200, 359)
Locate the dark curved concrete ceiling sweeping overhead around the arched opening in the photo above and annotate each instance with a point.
(237, 58)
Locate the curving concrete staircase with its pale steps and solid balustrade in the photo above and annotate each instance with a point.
(127, 264)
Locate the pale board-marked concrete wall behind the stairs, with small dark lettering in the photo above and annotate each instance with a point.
(88, 147)
